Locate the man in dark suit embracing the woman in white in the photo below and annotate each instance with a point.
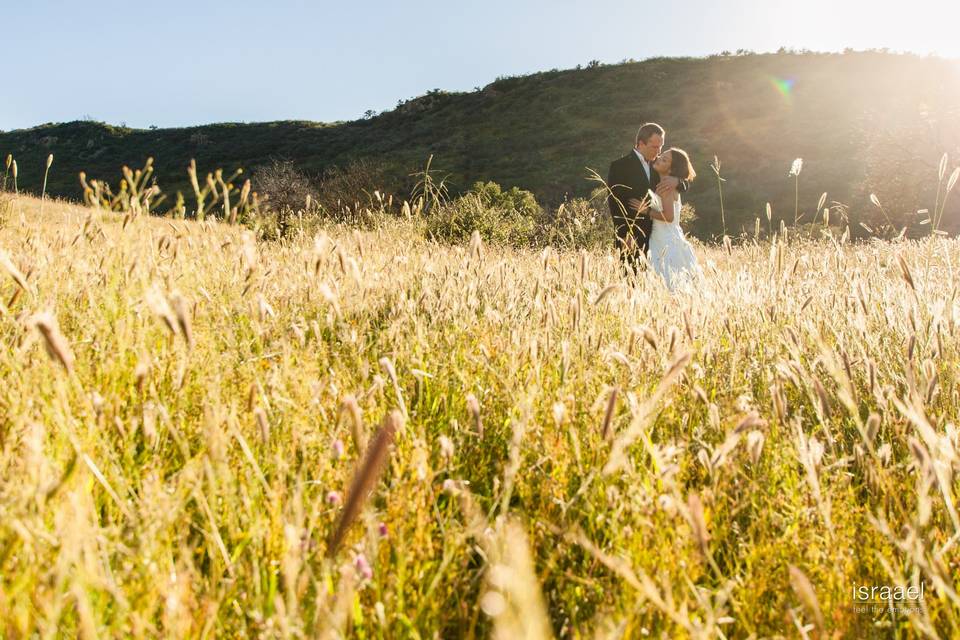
(629, 179)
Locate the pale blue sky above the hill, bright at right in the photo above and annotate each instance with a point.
(179, 63)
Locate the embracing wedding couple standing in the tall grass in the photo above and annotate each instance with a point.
(644, 200)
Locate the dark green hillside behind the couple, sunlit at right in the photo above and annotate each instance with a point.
(862, 122)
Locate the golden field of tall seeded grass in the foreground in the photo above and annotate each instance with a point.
(182, 411)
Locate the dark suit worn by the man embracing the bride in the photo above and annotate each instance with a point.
(626, 180)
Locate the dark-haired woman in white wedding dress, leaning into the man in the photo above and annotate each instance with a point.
(670, 253)
